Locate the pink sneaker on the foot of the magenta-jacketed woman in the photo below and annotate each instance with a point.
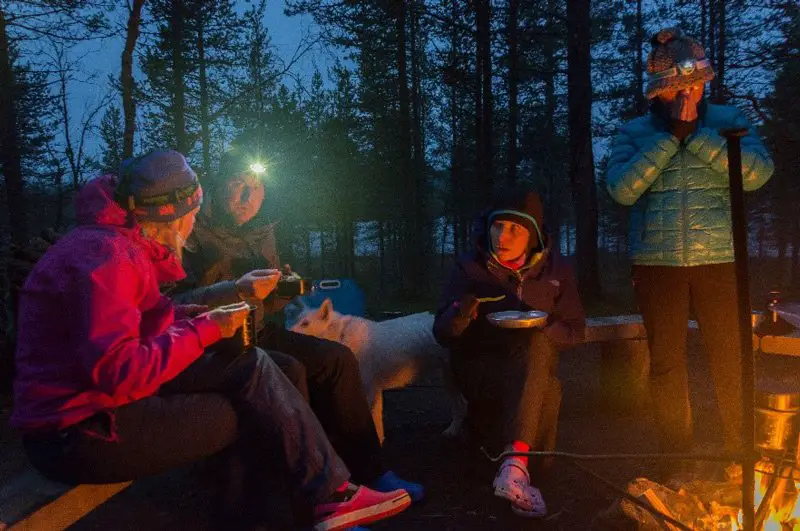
(357, 506)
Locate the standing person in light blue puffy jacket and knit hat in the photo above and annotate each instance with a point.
(671, 167)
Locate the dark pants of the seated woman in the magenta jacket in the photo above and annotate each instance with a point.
(216, 402)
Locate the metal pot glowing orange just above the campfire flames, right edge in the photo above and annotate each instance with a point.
(776, 420)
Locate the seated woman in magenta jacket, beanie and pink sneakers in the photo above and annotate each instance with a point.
(114, 382)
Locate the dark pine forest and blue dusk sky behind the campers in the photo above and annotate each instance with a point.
(390, 122)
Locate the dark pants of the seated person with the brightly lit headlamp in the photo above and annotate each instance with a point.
(328, 373)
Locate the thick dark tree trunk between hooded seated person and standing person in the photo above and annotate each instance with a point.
(579, 90)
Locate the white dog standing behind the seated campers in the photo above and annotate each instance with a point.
(391, 354)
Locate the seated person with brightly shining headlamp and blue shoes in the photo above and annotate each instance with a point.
(232, 256)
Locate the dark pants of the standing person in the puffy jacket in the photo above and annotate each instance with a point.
(665, 295)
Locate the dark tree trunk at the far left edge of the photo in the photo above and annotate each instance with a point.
(11, 142)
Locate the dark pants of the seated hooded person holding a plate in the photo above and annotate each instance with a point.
(512, 390)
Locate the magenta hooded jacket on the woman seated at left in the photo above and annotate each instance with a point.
(95, 332)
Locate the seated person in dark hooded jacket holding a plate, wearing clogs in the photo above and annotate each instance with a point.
(508, 376)
